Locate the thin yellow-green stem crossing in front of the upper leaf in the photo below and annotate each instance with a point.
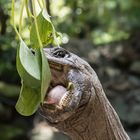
(36, 25)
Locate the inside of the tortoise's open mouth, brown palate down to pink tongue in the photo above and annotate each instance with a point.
(58, 86)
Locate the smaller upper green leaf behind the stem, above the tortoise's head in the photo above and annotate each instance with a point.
(45, 28)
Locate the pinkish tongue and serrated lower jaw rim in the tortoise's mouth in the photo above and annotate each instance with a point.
(58, 98)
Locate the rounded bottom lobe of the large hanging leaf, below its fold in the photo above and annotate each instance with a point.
(29, 100)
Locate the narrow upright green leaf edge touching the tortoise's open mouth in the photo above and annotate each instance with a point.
(45, 75)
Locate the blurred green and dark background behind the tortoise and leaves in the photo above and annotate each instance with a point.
(104, 33)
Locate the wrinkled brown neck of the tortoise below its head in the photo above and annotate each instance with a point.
(97, 121)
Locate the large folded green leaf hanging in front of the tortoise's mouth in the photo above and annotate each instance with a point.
(35, 83)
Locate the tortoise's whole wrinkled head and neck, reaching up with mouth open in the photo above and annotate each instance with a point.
(85, 114)
